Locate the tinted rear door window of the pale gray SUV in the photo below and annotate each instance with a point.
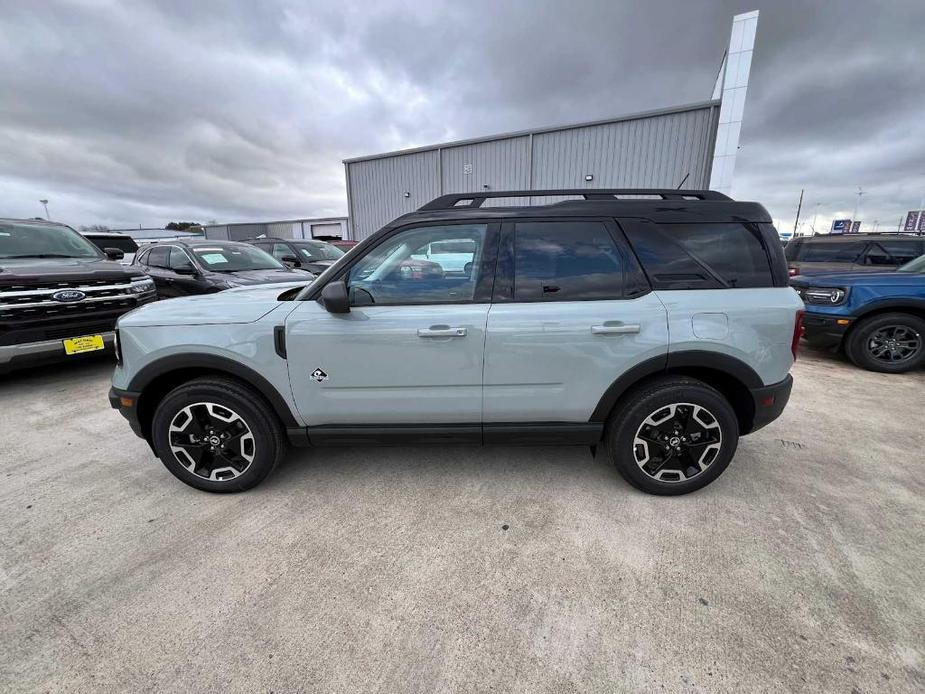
(565, 261)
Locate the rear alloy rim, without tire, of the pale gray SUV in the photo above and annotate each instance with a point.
(677, 442)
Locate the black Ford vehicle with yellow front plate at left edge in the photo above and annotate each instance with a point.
(60, 295)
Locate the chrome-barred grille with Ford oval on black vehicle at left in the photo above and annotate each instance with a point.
(35, 302)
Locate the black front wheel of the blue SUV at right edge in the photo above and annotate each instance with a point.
(866, 341)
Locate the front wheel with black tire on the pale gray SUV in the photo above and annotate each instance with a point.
(258, 436)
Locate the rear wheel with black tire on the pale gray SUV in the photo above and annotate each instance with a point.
(721, 437)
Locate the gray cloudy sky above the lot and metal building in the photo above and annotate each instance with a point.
(128, 113)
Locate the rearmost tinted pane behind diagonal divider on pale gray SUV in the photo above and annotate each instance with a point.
(731, 251)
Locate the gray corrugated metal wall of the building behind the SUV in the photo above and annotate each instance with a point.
(654, 150)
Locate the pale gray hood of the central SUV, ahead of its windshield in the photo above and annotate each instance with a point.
(244, 305)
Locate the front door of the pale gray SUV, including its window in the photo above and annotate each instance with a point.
(410, 350)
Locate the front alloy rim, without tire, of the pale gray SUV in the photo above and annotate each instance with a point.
(211, 441)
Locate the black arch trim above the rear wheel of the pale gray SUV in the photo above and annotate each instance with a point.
(664, 363)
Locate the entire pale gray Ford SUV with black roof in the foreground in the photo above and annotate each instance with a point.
(658, 323)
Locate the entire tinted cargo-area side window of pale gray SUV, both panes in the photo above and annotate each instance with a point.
(701, 255)
